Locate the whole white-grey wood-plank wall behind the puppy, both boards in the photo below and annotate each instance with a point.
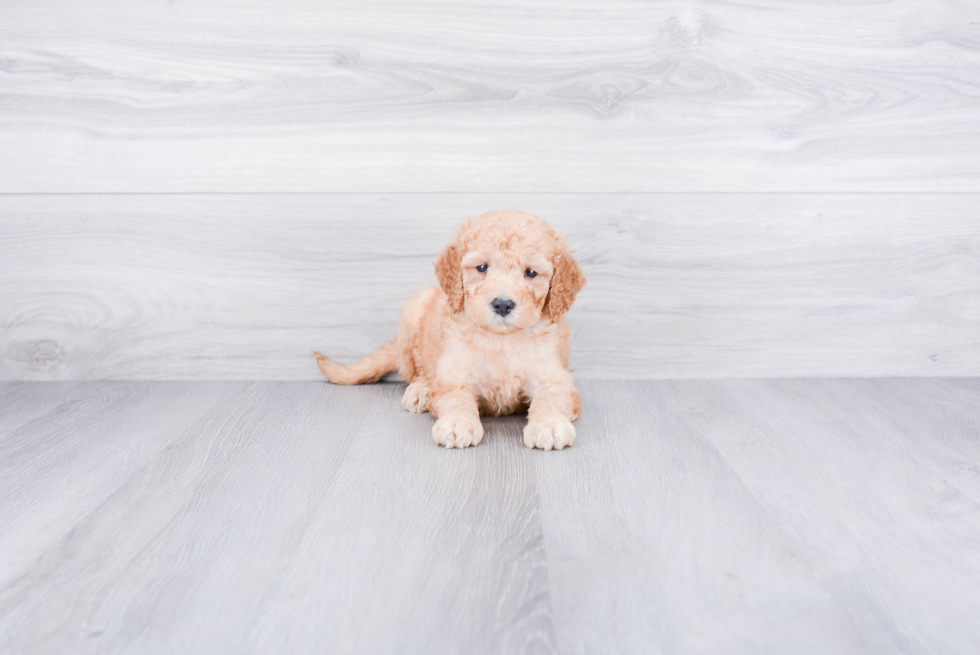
(209, 190)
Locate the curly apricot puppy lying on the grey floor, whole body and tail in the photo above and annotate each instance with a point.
(492, 339)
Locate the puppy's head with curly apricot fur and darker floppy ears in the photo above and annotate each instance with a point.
(507, 270)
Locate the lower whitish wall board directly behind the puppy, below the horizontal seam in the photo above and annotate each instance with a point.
(680, 285)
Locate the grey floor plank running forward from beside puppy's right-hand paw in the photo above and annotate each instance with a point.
(656, 545)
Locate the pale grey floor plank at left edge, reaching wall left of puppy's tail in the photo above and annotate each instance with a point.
(117, 428)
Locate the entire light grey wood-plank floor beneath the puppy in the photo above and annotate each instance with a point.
(837, 516)
